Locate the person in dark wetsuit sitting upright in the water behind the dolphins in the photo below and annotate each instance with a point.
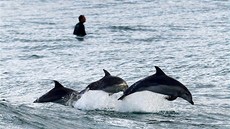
(79, 29)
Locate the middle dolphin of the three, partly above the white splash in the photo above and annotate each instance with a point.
(108, 83)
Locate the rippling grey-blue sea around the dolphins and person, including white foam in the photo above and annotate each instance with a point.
(188, 39)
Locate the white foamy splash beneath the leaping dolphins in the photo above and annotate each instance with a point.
(138, 102)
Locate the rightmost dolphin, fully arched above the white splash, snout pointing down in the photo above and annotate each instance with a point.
(162, 84)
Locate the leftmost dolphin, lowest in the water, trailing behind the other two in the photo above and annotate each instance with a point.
(59, 94)
